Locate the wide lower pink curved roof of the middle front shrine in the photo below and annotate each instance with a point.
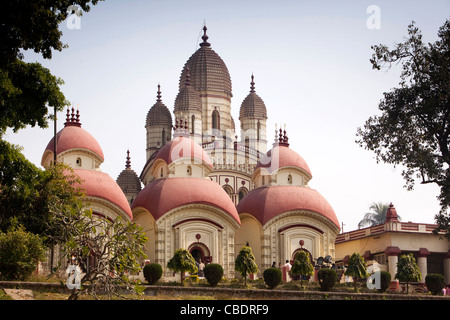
(163, 195)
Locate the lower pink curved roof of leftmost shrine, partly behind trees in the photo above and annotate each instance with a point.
(100, 185)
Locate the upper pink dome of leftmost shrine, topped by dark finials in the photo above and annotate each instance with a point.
(72, 136)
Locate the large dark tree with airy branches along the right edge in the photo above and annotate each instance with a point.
(414, 127)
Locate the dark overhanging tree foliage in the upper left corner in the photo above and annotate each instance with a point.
(27, 89)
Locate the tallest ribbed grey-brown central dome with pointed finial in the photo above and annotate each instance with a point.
(207, 70)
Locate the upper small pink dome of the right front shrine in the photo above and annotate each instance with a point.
(282, 156)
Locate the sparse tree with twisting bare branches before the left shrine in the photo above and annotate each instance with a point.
(105, 250)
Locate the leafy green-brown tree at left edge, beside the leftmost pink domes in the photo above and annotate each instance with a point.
(29, 193)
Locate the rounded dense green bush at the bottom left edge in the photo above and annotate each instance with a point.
(20, 252)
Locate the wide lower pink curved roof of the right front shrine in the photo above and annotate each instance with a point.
(265, 203)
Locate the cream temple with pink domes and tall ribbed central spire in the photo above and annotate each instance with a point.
(205, 190)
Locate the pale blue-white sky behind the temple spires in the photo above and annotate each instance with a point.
(310, 60)
